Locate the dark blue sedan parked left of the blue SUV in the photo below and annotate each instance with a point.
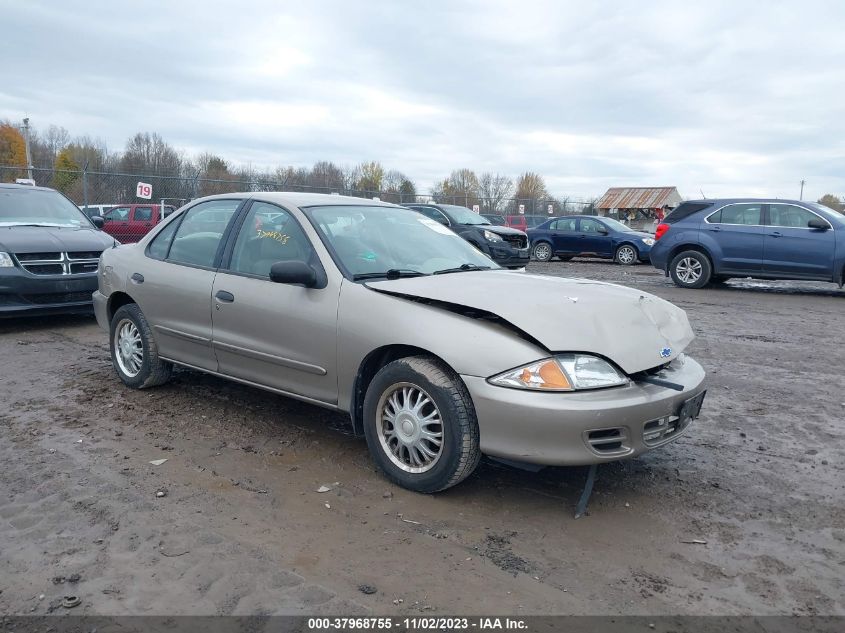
(589, 235)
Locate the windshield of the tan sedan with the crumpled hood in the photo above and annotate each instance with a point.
(369, 239)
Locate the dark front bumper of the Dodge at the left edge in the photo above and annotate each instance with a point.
(24, 294)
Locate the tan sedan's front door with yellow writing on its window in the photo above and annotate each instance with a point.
(277, 335)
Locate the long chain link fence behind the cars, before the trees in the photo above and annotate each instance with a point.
(103, 189)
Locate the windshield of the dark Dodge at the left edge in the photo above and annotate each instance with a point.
(39, 207)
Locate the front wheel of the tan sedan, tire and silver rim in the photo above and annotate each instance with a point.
(420, 425)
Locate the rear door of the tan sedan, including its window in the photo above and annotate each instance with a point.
(174, 287)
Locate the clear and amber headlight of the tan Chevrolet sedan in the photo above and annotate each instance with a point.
(564, 372)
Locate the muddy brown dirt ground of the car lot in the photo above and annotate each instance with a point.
(242, 530)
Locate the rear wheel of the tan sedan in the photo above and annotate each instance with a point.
(134, 351)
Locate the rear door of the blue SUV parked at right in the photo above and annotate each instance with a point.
(737, 232)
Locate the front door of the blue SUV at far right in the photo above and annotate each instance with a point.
(791, 248)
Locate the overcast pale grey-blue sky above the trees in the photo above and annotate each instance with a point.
(728, 98)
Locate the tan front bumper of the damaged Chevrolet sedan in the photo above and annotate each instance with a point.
(587, 427)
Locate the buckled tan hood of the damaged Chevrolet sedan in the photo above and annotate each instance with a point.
(634, 329)
